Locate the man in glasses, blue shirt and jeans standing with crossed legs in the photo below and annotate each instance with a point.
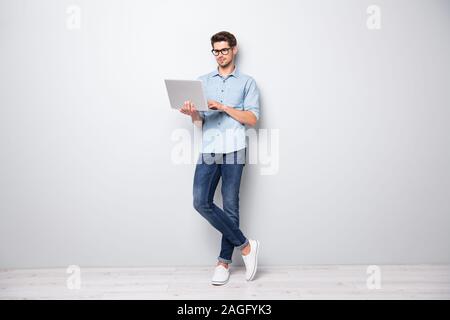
(235, 98)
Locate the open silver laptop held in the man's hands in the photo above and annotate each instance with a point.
(183, 90)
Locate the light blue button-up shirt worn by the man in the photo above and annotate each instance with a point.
(220, 132)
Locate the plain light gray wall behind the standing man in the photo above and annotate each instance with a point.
(86, 175)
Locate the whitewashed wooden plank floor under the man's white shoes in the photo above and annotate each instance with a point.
(280, 282)
